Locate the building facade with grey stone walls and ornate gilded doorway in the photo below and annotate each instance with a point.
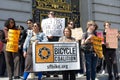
(80, 11)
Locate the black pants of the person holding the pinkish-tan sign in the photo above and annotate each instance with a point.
(111, 62)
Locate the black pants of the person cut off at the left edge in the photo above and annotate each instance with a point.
(2, 64)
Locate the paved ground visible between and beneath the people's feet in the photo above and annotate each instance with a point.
(99, 77)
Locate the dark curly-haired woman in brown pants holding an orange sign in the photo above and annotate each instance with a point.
(12, 57)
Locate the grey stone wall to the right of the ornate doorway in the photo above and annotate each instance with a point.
(100, 11)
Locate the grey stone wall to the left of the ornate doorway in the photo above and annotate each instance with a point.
(20, 10)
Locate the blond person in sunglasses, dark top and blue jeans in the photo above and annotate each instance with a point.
(90, 55)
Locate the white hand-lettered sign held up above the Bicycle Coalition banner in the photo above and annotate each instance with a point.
(53, 26)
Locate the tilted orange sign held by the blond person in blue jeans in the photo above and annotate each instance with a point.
(97, 45)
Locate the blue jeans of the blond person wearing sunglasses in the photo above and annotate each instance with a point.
(91, 61)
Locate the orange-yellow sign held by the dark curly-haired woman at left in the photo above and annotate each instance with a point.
(12, 44)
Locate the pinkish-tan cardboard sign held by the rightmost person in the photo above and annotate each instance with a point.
(111, 38)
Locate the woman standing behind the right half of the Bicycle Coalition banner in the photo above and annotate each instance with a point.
(67, 38)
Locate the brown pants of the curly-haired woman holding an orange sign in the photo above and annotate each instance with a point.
(12, 63)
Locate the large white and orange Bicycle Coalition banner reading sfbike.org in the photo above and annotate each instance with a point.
(55, 56)
